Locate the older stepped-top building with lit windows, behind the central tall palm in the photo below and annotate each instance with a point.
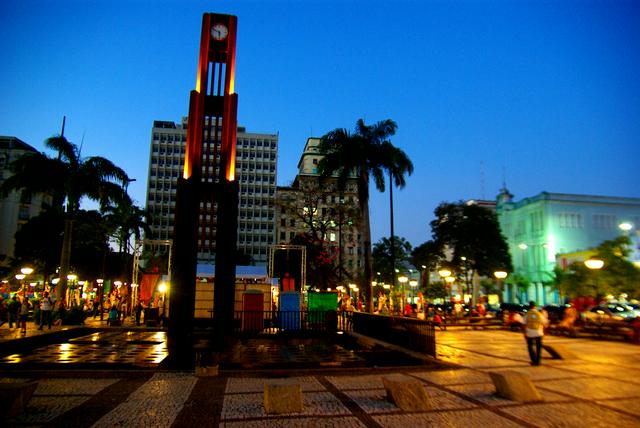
(318, 208)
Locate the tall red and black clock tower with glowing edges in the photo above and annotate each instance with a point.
(207, 194)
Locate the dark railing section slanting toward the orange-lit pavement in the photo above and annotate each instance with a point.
(417, 335)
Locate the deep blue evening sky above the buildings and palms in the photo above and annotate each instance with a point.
(544, 95)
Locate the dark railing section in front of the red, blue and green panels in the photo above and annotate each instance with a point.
(278, 322)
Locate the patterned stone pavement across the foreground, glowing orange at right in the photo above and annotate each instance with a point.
(599, 388)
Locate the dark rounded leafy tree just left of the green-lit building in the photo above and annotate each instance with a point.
(472, 234)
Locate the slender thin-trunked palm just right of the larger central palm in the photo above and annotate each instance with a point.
(397, 164)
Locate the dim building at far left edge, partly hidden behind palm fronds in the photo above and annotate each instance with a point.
(17, 208)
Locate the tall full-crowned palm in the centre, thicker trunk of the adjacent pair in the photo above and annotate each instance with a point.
(358, 155)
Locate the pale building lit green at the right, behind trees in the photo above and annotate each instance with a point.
(541, 227)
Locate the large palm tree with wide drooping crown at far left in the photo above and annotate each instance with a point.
(67, 178)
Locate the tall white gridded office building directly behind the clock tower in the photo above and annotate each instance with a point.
(256, 159)
